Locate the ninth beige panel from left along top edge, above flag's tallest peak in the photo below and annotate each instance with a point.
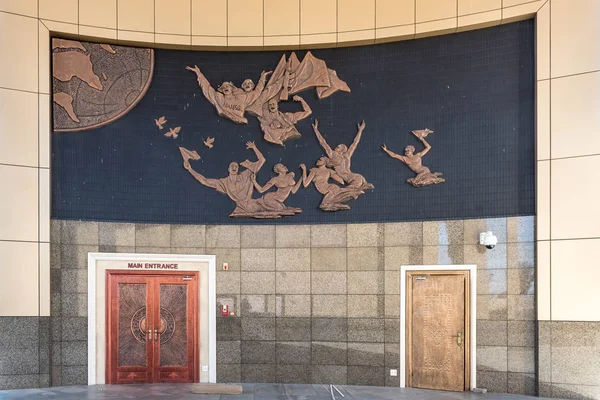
(318, 16)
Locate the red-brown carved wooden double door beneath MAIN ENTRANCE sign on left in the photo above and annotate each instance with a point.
(152, 327)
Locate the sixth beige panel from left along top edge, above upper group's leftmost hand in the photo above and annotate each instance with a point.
(209, 17)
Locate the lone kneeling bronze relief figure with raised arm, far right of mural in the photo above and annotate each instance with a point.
(414, 161)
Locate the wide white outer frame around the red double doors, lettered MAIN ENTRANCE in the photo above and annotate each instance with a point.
(96, 300)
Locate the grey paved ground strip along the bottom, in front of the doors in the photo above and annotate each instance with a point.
(251, 392)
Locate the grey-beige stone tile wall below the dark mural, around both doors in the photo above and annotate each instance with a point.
(317, 303)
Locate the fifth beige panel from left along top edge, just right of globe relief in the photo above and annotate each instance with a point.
(173, 17)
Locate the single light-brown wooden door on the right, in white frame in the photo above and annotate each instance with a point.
(438, 330)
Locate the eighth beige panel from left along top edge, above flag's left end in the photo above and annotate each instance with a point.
(282, 17)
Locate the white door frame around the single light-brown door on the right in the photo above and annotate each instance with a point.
(472, 269)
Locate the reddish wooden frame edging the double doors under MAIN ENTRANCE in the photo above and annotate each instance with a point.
(153, 273)
